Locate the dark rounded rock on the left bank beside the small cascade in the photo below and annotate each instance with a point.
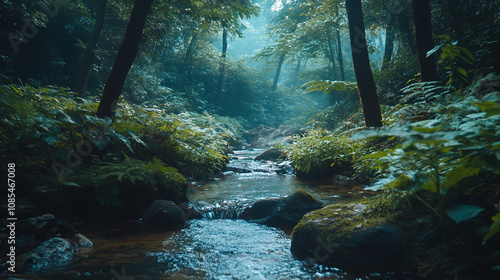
(164, 214)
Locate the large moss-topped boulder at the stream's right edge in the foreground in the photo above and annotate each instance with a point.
(349, 235)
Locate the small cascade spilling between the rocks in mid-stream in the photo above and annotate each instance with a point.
(222, 210)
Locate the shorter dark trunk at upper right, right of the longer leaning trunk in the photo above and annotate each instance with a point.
(423, 39)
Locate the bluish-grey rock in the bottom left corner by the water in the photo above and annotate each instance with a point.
(50, 254)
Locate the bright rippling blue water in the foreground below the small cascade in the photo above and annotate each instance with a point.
(234, 249)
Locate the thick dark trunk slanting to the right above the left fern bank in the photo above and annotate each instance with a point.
(124, 59)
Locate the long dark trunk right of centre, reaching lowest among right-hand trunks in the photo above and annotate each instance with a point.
(364, 77)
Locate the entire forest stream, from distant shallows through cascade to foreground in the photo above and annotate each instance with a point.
(212, 248)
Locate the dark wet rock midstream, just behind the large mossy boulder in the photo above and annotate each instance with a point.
(283, 212)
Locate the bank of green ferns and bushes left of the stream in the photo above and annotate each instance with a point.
(143, 144)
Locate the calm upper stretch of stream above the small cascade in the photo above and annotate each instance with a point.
(263, 182)
